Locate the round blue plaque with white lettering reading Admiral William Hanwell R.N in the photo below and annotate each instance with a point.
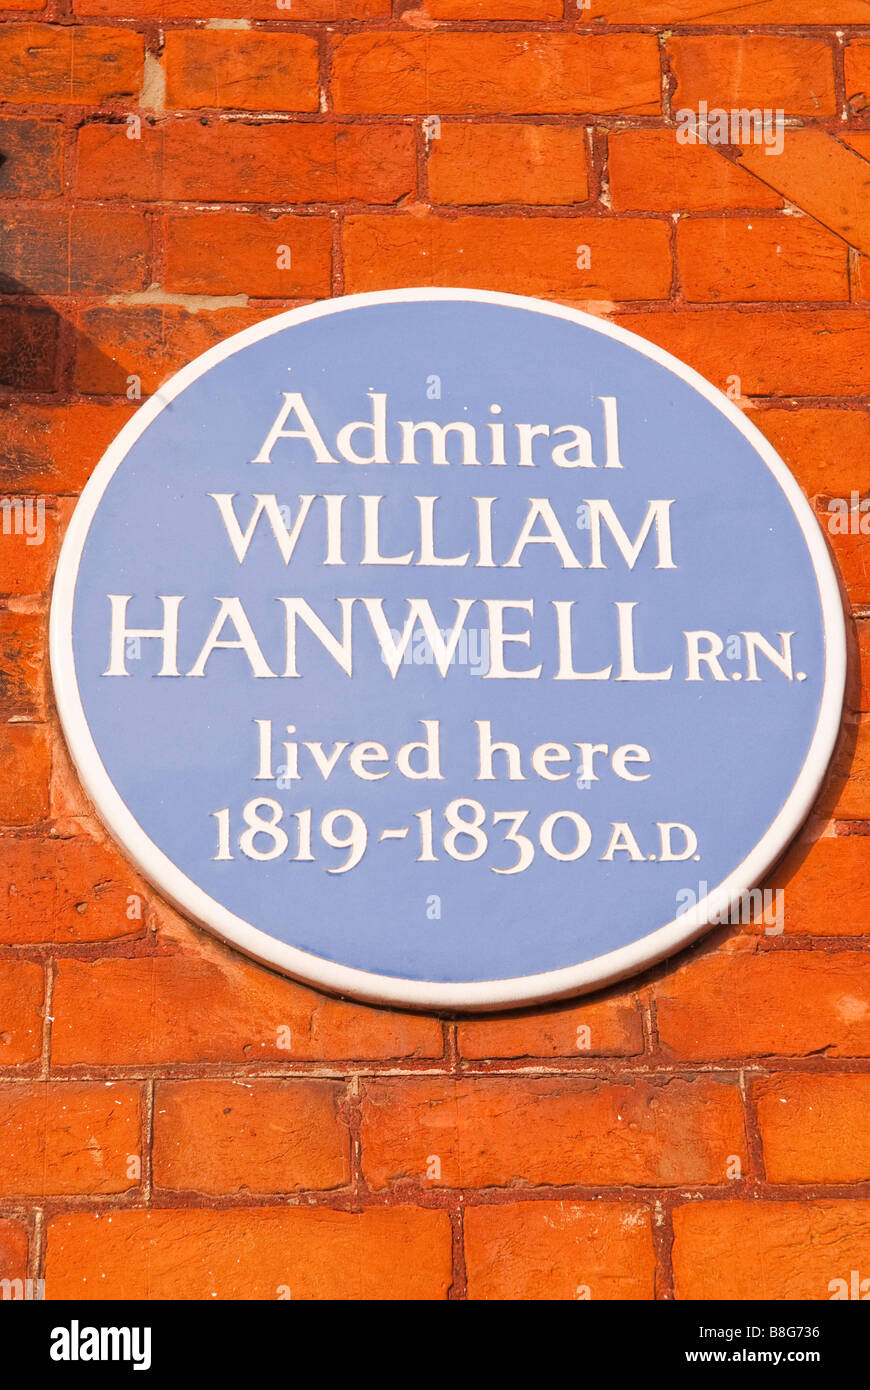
(448, 648)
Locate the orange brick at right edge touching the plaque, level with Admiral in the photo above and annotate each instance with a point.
(826, 450)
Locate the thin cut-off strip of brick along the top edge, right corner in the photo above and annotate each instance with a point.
(732, 12)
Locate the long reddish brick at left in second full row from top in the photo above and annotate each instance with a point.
(274, 162)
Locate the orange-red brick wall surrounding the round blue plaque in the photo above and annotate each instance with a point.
(163, 1132)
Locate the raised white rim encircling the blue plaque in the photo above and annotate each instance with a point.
(377, 989)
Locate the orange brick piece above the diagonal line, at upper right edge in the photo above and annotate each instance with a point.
(822, 177)
